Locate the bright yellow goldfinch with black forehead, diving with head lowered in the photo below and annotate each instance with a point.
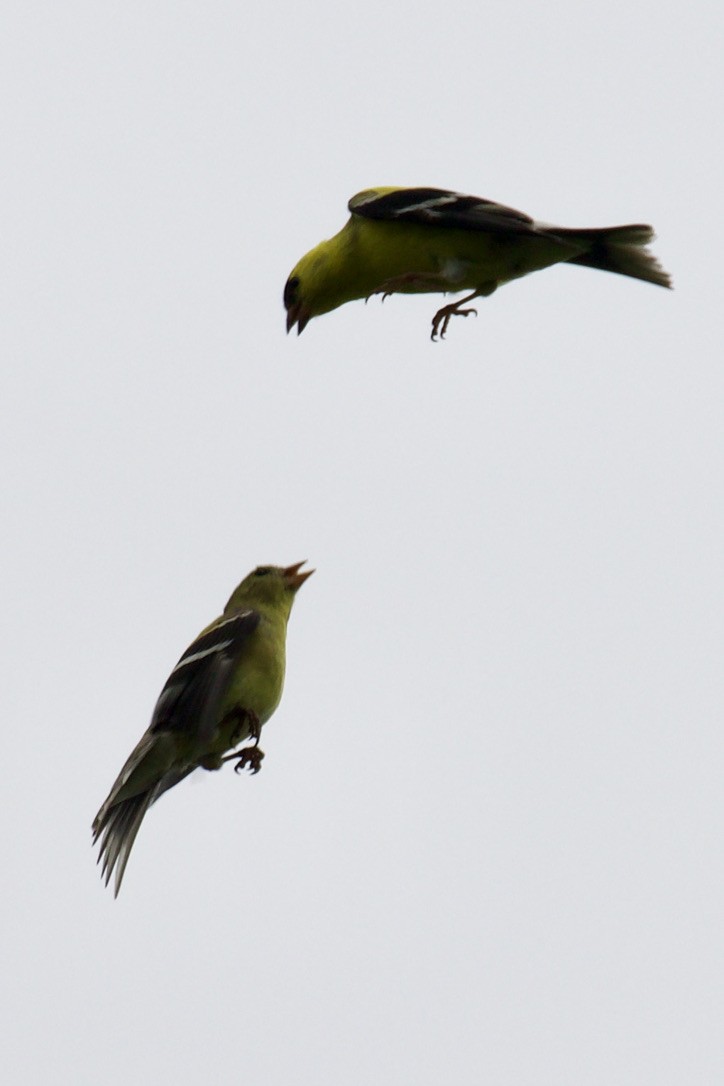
(420, 242)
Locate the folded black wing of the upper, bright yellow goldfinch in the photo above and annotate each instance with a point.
(441, 208)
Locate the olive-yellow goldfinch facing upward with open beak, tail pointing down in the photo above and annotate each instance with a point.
(223, 690)
